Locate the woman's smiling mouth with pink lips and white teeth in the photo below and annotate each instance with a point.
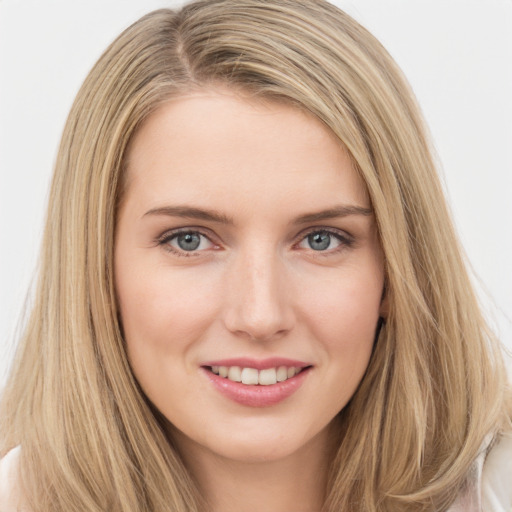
(257, 383)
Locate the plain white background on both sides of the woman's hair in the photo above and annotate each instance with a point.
(457, 55)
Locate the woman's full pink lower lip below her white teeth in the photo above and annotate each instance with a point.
(257, 395)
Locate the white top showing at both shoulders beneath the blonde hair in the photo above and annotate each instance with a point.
(489, 488)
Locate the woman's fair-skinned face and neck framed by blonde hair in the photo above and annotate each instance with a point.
(246, 238)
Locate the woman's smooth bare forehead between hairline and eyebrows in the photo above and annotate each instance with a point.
(217, 144)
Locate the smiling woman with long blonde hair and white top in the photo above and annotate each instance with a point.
(251, 294)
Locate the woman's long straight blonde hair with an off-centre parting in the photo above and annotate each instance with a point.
(435, 385)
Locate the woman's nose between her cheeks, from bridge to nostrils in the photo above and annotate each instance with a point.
(257, 302)
